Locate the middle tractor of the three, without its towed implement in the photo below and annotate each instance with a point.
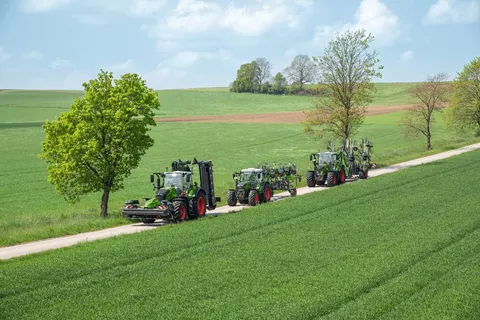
(251, 187)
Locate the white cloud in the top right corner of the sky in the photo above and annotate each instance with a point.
(453, 11)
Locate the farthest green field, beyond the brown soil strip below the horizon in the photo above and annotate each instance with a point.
(35, 106)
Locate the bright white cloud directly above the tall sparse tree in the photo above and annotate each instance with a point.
(373, 16)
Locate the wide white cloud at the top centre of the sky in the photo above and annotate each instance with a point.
(253, 18)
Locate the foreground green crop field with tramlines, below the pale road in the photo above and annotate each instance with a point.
(393, 247)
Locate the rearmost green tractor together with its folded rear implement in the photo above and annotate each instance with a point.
(335, 166)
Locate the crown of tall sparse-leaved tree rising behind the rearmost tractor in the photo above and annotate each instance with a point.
(346, 70)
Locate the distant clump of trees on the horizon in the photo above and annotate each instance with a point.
(256, 77)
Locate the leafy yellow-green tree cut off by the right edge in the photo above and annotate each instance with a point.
(464, 111)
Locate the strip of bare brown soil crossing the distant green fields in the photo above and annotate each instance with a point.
(275, 117)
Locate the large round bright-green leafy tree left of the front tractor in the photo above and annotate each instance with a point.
(94, 145)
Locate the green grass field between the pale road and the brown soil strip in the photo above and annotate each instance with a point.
(32, 210)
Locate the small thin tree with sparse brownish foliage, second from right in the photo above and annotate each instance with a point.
(430, 97)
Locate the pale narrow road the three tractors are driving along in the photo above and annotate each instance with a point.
(70, 240)
